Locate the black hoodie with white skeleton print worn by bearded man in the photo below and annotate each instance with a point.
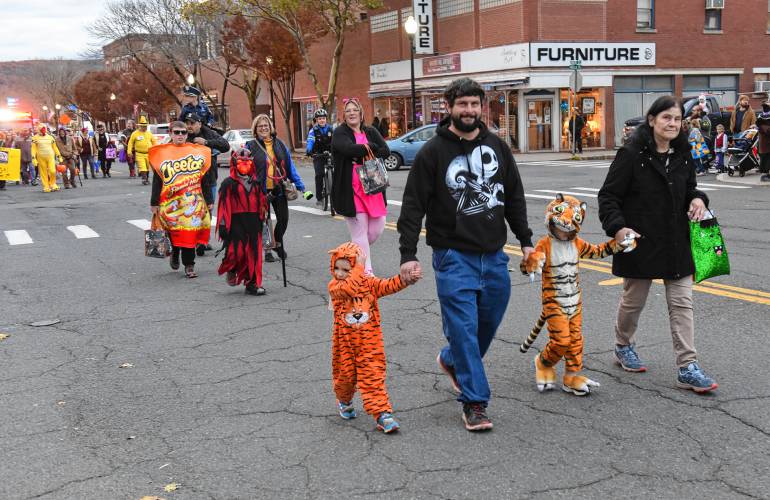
(467, 190)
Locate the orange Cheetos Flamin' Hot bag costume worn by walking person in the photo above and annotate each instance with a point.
(183, 210)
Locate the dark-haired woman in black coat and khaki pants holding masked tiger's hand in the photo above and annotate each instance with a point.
(650, 192)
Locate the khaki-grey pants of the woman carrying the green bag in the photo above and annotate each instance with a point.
(680, 315)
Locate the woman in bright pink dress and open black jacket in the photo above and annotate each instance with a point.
(364, 214)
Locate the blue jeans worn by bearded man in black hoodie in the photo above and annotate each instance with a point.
(473, 290)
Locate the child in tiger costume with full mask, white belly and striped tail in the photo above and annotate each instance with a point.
(556, 256)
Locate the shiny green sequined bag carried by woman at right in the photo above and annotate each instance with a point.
(708, 249)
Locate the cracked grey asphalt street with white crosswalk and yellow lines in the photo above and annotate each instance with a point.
(229, 396)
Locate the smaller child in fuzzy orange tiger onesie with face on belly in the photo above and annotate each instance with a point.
(358, 355)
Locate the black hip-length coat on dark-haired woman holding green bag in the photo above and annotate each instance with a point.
(642, 194)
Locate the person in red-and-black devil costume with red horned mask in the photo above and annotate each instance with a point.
(240, 215)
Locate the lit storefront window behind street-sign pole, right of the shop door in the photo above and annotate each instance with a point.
(591, 103)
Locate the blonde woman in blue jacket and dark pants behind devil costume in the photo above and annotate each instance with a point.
(273, 163)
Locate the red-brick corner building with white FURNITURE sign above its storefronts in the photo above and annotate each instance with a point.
(632, 51)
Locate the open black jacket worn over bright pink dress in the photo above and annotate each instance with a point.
(344, 151)
